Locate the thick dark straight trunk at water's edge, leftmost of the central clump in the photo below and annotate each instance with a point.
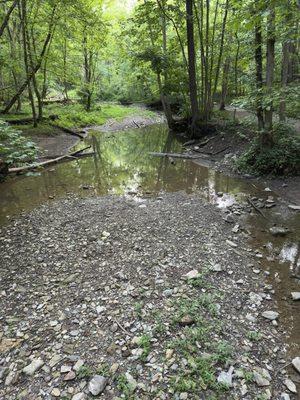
(192, 65)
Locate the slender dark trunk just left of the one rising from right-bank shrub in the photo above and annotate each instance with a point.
(259, 73)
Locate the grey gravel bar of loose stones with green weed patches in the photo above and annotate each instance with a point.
(120, 297)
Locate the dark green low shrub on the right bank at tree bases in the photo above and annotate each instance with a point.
(283, 157)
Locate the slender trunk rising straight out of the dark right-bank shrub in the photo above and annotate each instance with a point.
(270, 72)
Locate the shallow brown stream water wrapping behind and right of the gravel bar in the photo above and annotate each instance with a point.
(122, 165)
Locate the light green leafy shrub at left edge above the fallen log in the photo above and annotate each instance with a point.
(15, 149)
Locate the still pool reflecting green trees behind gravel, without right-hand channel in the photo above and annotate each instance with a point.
(121, 163)
